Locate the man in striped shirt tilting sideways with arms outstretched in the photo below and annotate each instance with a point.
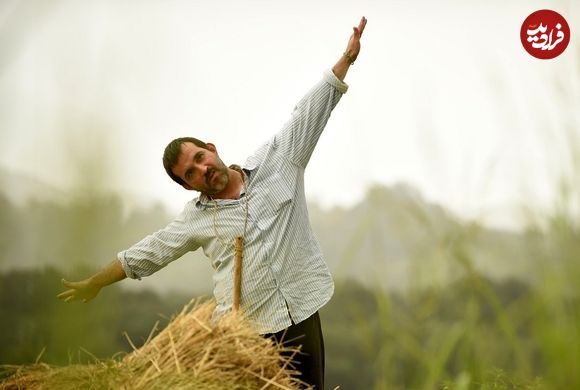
(285, 278)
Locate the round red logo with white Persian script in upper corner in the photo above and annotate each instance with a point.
(545, 34)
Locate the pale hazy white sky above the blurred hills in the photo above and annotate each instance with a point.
(442, 97)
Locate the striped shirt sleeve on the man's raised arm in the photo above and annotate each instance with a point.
(300, 134)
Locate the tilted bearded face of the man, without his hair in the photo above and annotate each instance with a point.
(201, 169)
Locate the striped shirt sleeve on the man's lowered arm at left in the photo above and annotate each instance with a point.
(158, 249)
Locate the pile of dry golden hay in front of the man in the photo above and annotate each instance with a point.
(190, 353)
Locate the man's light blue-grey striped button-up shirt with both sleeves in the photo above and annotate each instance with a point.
(284, 275)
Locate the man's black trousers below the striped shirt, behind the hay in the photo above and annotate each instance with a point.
(310, 360)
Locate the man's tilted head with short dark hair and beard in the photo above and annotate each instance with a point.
(195, 165)
